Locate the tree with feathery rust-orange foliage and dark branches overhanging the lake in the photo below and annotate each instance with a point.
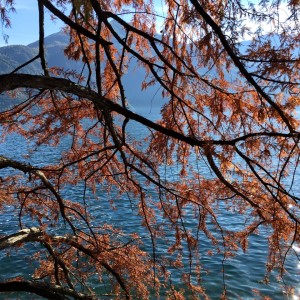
(228, 106)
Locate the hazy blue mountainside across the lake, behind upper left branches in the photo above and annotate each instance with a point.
(13, 56)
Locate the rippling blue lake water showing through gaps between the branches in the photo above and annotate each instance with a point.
(243, 273)
